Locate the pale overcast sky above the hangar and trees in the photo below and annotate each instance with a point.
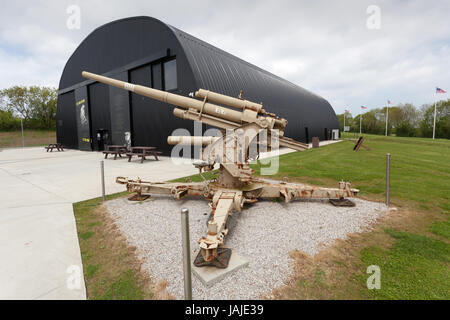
(337, 49)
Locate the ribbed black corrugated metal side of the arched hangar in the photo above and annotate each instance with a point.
(220, 71)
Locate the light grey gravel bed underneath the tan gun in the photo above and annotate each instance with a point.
(265, 234)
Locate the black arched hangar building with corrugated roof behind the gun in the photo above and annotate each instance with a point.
(146, 51)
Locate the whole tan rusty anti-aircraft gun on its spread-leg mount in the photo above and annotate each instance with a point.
(245, 133)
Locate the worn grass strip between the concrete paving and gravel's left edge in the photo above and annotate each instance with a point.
(111, 269)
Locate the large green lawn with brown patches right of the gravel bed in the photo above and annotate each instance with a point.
(412, 251)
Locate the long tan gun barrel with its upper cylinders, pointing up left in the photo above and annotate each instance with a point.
(209, 113)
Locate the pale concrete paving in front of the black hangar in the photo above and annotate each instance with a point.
(39, 249)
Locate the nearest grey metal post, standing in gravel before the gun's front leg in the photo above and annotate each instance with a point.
(186, 254)
